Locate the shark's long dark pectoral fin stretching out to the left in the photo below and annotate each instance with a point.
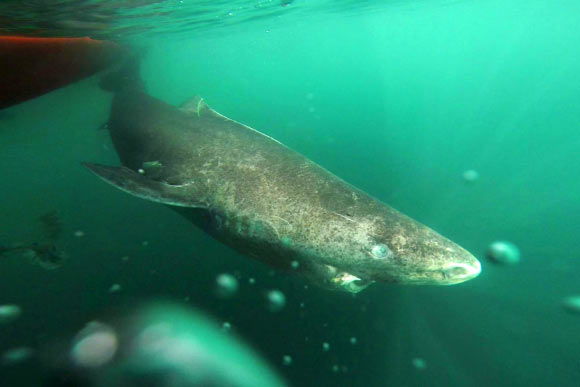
(136, 184)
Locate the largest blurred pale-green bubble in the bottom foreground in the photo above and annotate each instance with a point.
(167, 345)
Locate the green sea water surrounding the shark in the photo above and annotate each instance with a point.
(398, 100)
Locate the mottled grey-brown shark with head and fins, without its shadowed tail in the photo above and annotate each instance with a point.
(269, 202)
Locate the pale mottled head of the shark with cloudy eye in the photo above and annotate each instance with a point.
(397, 249)
